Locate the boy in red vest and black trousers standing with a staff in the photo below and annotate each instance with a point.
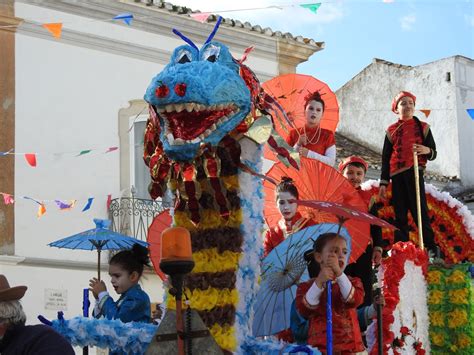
(407, 135)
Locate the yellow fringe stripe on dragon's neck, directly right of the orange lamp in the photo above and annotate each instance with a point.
(210, 260)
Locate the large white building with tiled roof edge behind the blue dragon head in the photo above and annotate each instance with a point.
(82, 92)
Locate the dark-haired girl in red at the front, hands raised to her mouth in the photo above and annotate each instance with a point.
(330, 255)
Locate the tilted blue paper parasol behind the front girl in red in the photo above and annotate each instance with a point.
(282, 270)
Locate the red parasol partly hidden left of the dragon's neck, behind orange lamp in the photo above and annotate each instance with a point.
(159, 224)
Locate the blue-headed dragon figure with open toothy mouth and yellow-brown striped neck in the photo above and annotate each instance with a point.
(203, 141)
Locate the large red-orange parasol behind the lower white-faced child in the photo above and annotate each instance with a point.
(317, 181)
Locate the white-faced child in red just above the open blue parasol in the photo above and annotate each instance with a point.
(291, 222)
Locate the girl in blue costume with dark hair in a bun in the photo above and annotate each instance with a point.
(125, 270)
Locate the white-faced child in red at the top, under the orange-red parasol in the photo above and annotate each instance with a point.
(311, 140)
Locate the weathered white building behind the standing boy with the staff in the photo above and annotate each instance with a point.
(446, 87)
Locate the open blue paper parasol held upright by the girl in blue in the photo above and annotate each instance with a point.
(99, 238)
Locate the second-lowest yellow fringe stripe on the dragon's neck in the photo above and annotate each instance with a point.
(206, 300)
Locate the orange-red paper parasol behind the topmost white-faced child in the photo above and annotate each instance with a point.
(290, 90)
